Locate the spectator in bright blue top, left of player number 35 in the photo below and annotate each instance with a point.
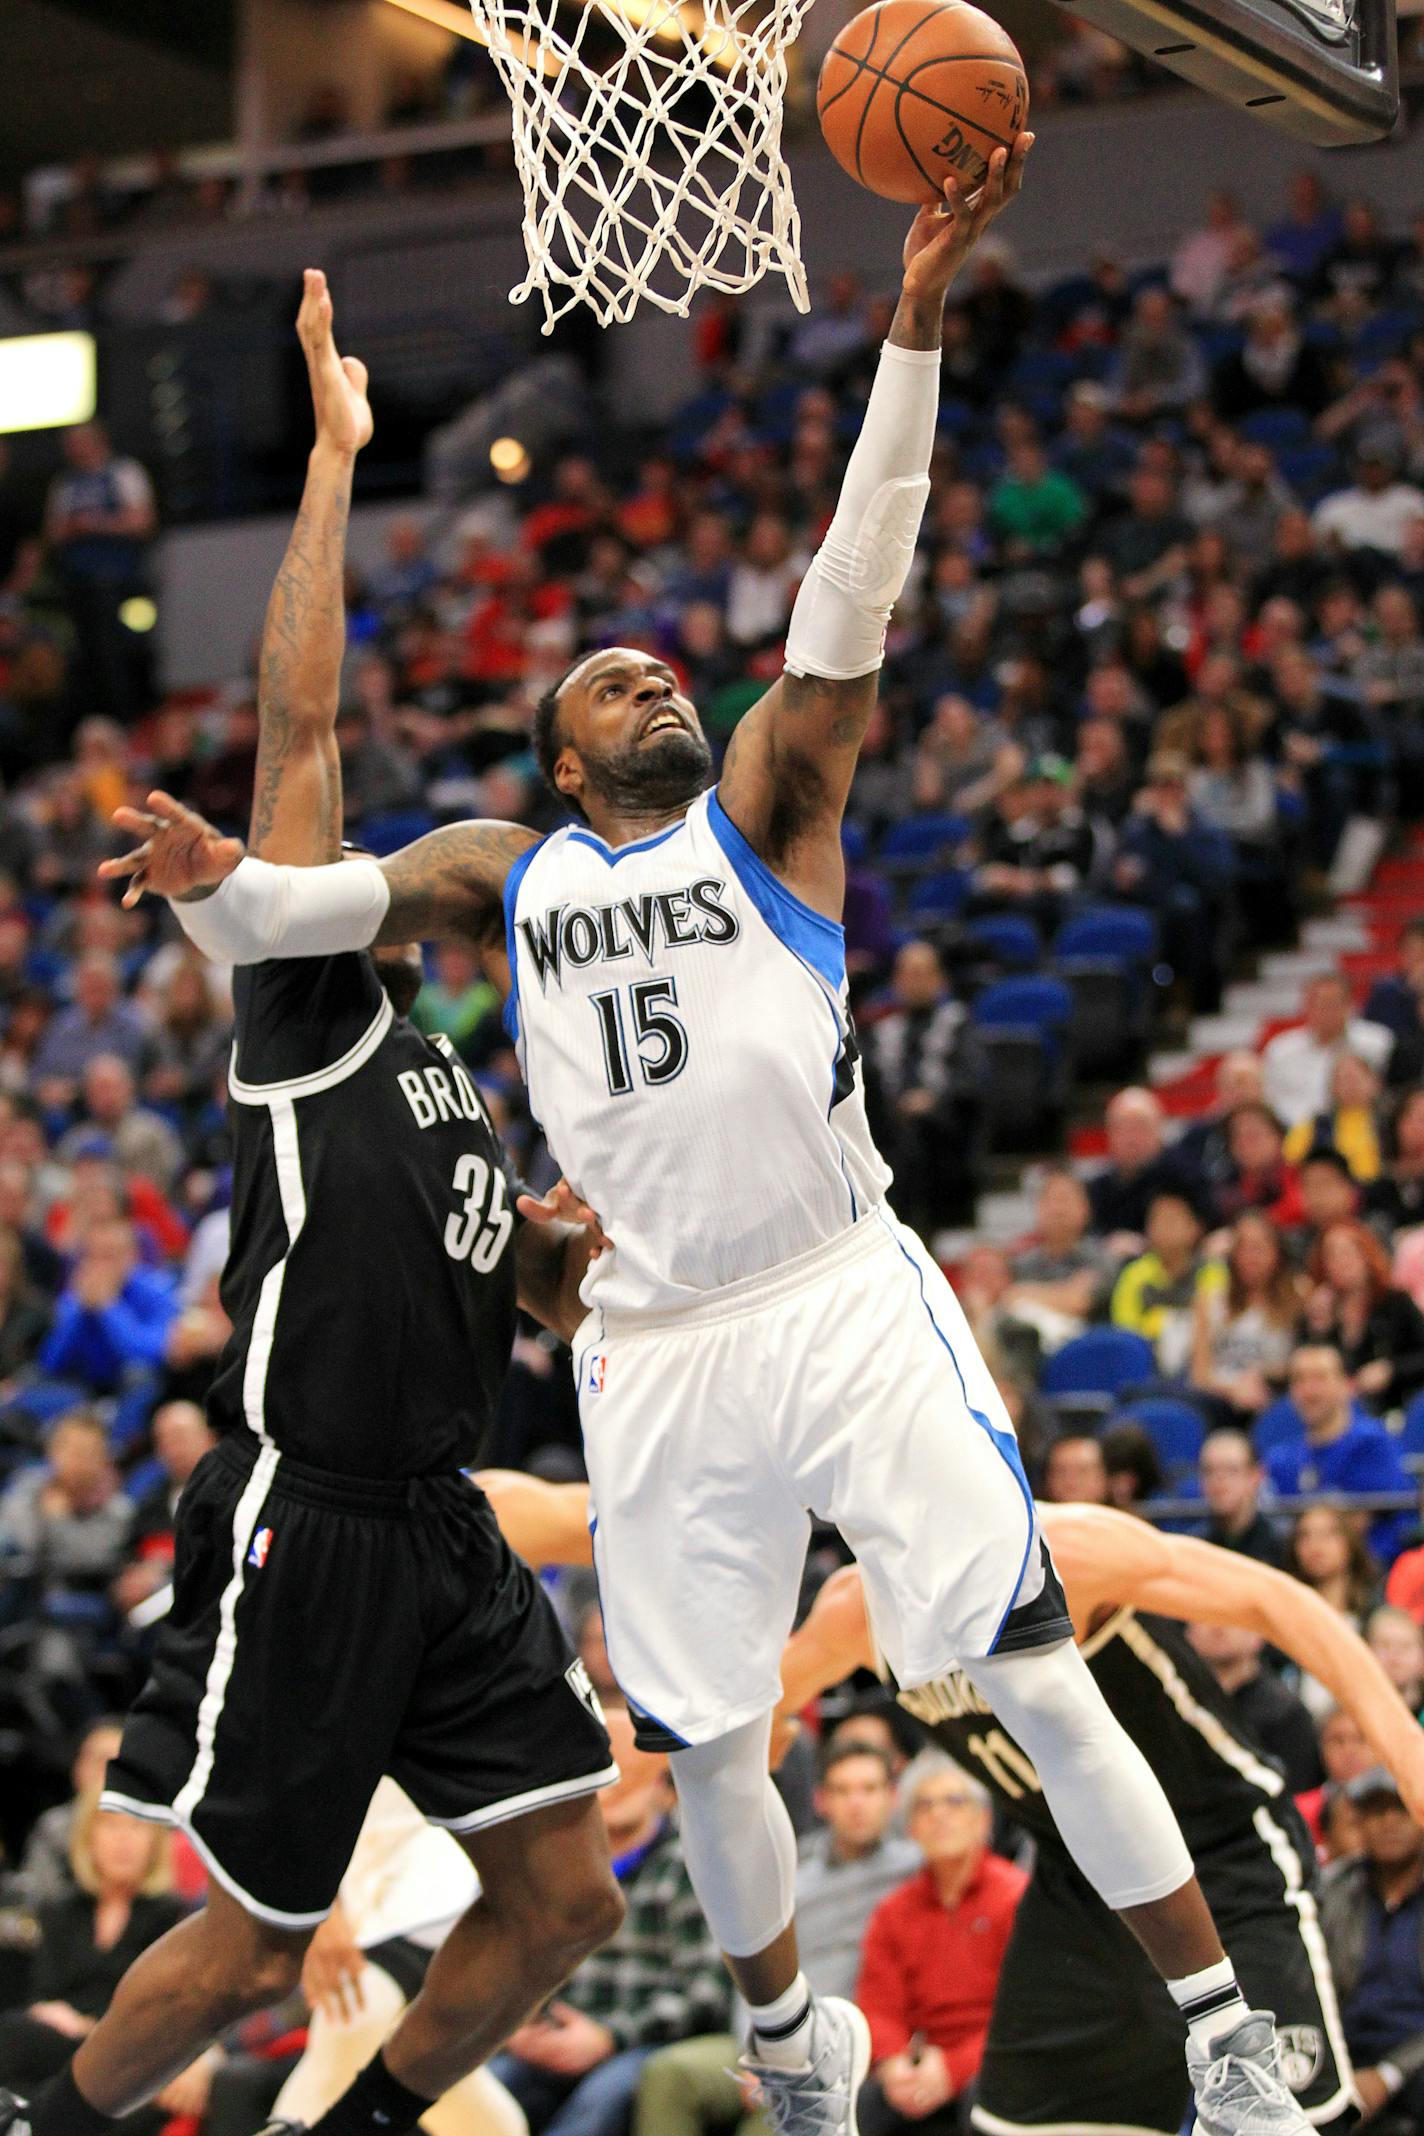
(114, 1317)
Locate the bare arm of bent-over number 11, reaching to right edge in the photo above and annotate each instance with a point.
(1109, 1560)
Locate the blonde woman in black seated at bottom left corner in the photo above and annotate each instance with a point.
(89, 1941)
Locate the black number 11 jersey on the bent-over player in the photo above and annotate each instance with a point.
(1212, 1770)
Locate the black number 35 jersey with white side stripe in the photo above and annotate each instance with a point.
(373, 1268)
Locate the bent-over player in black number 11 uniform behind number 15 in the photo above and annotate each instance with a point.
(1086, 2039)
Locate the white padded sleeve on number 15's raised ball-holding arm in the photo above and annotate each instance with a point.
(847, 597)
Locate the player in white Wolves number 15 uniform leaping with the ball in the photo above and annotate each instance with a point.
(763, 1340)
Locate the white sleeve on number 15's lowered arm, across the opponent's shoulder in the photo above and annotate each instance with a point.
(266, 911)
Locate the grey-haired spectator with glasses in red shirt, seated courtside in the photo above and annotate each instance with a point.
(932, 1958)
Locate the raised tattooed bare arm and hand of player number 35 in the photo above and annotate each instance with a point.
(298, 791)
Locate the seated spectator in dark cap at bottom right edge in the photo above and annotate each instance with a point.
(1374, 1921)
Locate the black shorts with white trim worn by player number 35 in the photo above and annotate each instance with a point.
(328, 1631)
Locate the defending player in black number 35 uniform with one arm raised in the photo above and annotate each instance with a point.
(343, 1599)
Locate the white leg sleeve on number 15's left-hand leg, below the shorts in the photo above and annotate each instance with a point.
(738, 1840)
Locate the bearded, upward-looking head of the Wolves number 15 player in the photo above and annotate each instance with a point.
(631, 740)
